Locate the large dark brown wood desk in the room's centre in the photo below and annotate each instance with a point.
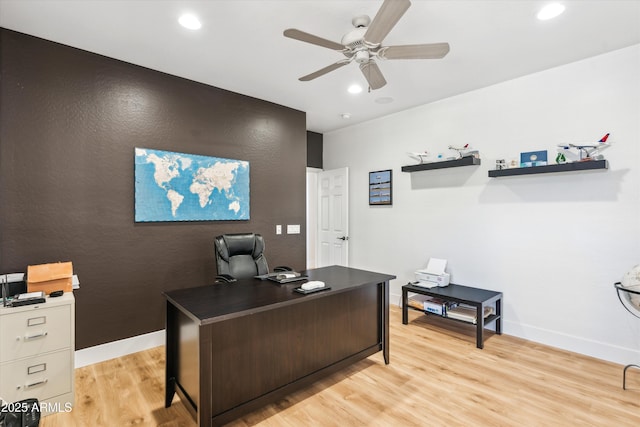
(232, 348)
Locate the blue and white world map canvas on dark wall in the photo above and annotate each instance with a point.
(188, 187)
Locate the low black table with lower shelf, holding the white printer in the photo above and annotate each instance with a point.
(478, 298)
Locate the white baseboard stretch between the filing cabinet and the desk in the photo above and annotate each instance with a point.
(111, 350)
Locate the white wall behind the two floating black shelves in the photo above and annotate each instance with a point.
(554, 244)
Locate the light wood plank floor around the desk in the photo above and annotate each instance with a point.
(437, 377)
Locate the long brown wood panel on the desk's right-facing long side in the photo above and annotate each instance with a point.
(258, 353)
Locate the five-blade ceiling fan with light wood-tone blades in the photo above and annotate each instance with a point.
(364, 44)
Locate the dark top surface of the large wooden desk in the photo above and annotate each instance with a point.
(221, 301)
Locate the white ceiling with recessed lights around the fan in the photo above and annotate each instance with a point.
(241, 47)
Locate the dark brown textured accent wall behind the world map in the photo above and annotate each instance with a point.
(69, 122)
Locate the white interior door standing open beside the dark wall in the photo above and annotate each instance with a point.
(333, 217)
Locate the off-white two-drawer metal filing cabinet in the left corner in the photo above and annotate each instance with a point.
(37, 344)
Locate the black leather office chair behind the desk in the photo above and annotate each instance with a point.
(241, 256)
